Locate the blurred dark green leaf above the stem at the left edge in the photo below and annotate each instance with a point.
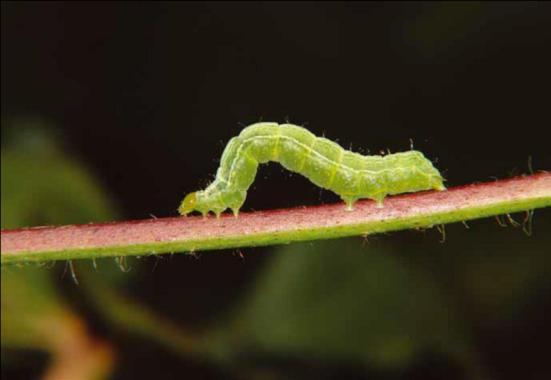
(40, 185)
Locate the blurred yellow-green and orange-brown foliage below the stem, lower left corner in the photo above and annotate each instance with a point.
(35, 316)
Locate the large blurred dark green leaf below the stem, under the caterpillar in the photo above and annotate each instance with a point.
(341, 300)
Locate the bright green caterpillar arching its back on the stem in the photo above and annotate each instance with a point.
(350, 175)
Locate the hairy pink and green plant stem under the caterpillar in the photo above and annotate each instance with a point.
(190, 234)
